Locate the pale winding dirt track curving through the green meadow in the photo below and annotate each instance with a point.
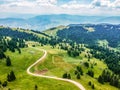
(39, 75)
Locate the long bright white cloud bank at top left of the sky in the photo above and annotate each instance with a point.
(28, 3)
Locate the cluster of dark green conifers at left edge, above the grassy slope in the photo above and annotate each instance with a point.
(12, 44)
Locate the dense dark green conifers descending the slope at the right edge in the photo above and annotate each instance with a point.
(110, 57)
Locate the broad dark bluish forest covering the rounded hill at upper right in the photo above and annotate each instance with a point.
(79, 34)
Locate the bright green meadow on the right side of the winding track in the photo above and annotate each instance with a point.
(58, 62)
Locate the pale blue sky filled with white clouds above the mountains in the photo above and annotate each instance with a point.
(79, 7)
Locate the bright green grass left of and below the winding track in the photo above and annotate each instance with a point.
(20, 62)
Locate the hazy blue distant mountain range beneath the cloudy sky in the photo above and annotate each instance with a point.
(43, 22)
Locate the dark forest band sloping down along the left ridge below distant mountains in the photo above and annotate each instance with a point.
(30, 36)
